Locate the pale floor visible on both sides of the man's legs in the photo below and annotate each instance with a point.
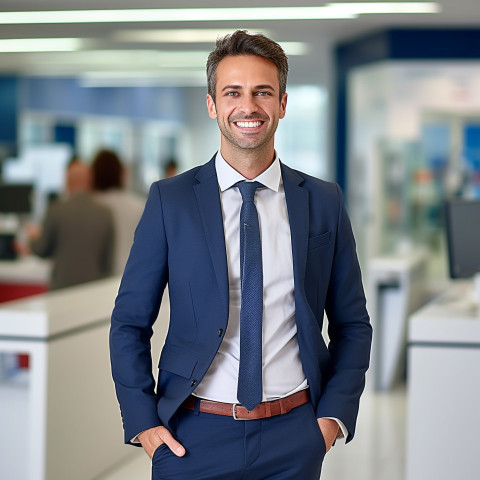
(376, 453)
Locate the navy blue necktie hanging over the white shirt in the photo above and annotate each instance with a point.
(249, 390)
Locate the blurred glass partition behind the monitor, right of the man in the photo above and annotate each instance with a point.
(414, 141)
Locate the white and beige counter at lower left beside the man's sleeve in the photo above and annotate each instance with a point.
(74, 427)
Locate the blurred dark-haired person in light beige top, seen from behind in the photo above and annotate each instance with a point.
(109, 178)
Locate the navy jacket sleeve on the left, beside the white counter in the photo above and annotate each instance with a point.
(136, 309)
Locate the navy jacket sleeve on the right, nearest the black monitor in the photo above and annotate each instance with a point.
(349, 330)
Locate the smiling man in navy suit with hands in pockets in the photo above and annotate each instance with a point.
(220, 412)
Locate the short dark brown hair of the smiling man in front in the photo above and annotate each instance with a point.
(241, 42)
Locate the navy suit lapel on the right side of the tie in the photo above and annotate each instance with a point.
(298, 214)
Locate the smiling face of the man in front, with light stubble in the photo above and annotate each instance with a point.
(248, 106)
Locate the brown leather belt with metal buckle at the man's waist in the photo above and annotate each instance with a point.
(262, 410)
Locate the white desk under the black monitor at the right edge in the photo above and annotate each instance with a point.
(444, 388)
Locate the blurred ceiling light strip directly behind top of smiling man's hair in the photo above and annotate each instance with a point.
(175, 36)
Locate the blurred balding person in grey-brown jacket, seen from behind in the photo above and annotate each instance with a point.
(77, 233)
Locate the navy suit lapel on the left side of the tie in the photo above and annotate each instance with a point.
(208, 198)
